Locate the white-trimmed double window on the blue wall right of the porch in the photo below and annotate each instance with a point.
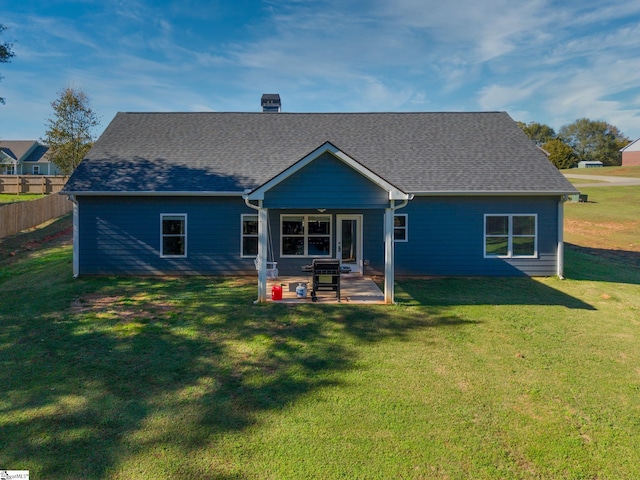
(510, 236)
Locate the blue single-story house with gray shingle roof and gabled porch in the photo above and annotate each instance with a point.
(387, 193)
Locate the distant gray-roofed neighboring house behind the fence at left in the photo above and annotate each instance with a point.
(25, 157)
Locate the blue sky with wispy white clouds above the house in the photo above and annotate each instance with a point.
(540, 60)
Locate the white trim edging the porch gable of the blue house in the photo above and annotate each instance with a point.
(394, 192)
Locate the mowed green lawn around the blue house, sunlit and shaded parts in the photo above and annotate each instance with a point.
(121, 378)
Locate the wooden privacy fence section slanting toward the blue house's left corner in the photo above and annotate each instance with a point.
(16, 217)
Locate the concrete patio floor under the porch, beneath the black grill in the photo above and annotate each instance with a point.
(354, 289)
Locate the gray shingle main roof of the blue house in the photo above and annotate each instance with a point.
(230, 152)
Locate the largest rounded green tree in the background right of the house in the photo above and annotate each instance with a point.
(594, 141)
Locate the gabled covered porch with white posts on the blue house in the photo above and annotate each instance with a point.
(334, 193)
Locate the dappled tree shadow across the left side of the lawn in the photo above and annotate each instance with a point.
(97, 370)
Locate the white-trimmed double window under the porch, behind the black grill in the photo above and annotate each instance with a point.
(305, 235)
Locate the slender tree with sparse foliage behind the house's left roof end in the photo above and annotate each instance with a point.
(70, 131)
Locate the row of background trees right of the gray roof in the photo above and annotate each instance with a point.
(582, 140)
